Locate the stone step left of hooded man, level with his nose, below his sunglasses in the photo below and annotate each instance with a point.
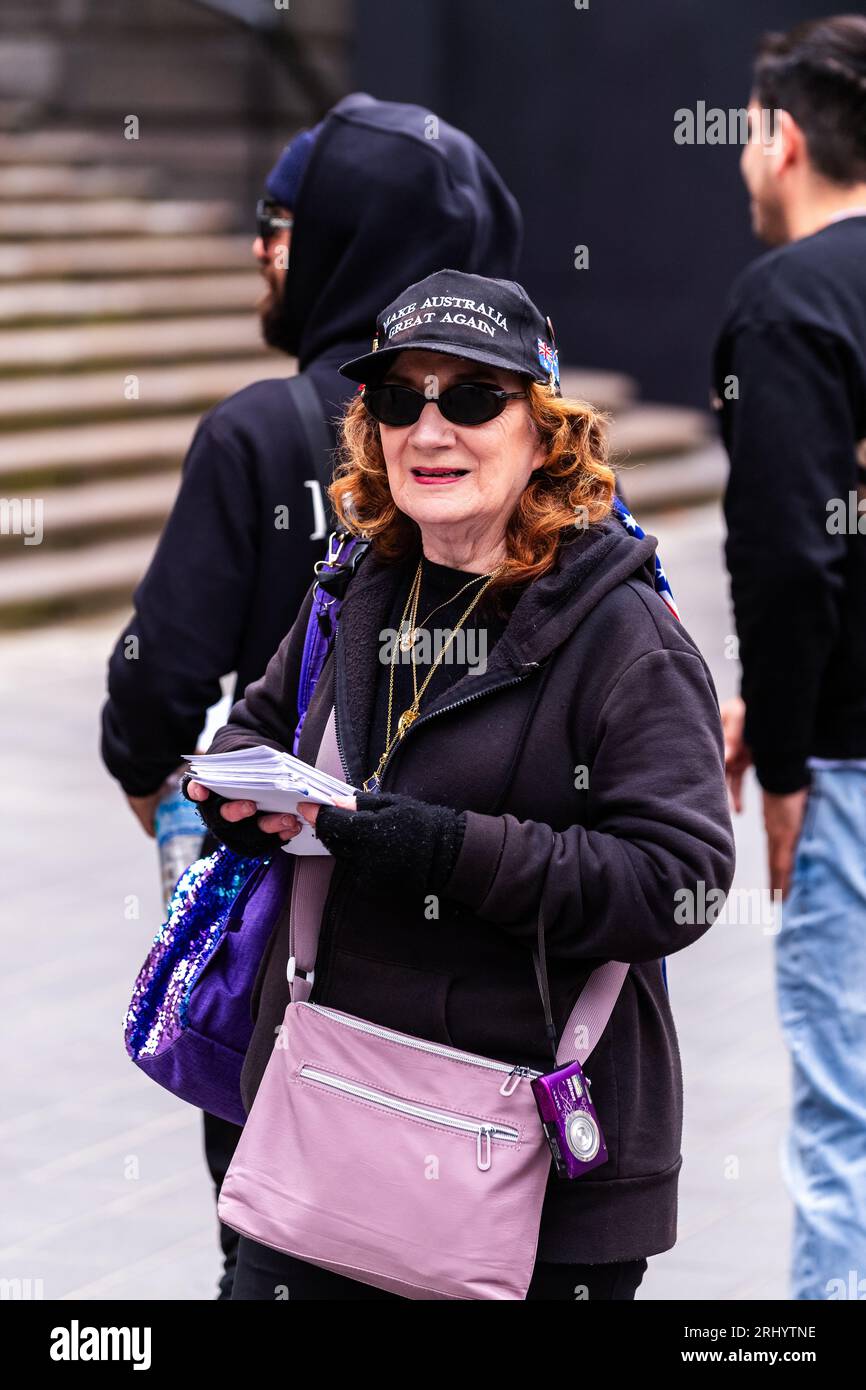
(140, 256)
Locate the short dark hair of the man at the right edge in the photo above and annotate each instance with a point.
(818, 74)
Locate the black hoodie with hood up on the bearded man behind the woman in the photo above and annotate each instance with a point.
(390, 195)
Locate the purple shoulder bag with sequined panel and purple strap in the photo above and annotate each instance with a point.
(190, 1021)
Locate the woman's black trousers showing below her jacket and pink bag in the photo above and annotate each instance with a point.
(266, 1275)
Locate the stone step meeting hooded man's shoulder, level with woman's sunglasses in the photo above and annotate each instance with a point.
(101, 394)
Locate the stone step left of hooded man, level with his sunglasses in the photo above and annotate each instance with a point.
(117, 218)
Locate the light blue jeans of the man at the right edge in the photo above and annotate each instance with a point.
(821, 971)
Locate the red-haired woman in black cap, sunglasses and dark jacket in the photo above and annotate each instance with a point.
(575, 737)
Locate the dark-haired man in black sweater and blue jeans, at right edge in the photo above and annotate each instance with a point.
(790, 377)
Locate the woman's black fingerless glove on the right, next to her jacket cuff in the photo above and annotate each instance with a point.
(395, 837)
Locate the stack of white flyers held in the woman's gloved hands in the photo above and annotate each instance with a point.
(276, 782)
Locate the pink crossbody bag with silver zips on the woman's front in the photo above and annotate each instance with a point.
(405, 1164)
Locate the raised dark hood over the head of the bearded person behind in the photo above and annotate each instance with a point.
(386, 201)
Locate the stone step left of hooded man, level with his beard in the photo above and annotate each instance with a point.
(55, 301)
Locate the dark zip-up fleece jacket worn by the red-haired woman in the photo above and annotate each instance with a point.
(587, 765)
